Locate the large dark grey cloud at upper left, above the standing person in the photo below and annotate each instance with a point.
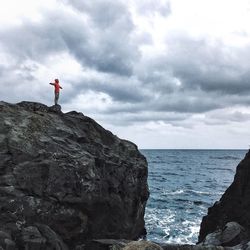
(110, 49)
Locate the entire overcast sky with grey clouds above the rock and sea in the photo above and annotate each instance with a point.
(161, 73)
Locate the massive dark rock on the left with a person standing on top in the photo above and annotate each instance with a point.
(64, 180)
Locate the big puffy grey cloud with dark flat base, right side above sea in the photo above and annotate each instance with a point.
(200, 65)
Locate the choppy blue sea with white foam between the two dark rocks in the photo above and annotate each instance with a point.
(183, 184)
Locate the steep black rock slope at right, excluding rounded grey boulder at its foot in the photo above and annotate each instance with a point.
(234, 205)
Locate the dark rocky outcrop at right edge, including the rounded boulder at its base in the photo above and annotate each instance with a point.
(233, 207)
